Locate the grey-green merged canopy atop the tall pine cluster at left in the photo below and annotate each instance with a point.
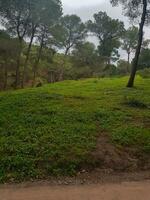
(19, 15)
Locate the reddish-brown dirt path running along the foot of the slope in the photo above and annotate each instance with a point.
(122, 191)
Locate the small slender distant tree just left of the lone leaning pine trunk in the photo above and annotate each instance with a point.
(129, 43)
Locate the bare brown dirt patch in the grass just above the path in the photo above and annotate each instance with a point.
(108, 156)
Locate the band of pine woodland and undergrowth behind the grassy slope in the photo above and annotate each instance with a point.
(39, 44)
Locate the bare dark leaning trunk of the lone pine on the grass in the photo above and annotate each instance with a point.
(138, 50)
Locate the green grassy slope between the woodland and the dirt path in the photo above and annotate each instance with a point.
(51, 130)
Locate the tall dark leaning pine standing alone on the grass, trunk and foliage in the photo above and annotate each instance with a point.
(135, 9)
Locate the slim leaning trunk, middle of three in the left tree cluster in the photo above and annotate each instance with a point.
(27, 58)
